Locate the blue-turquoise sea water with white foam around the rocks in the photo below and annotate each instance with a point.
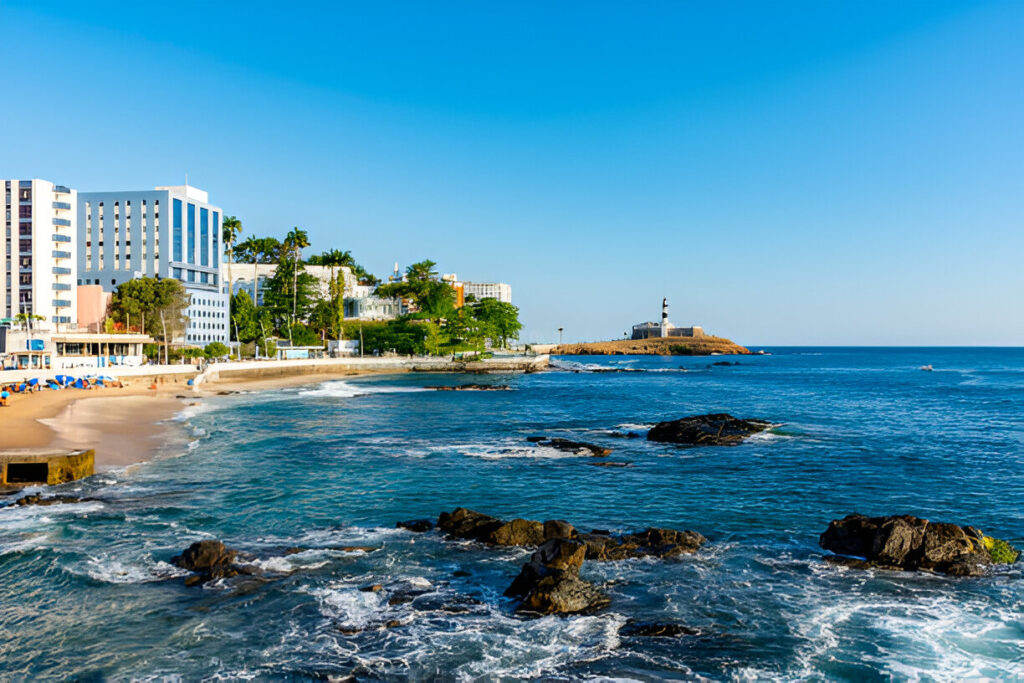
(89, 592)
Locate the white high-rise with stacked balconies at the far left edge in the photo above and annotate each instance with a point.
(39, 263)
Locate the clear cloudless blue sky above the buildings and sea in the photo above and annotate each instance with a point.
(785, 174)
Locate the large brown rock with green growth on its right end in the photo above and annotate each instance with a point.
(907, 543)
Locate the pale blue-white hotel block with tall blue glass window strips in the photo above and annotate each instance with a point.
(167, 233)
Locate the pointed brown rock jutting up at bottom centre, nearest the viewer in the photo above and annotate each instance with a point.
(550, 583)
